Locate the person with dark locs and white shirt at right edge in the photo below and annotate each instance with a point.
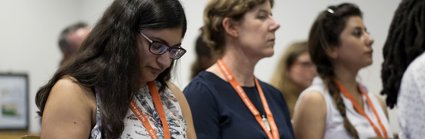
(403, 68)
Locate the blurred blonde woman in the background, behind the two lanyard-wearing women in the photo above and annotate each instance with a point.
(294, 73)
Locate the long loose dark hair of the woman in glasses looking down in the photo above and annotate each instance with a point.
(108, 60)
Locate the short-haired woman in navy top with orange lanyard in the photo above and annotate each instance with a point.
(227, 100)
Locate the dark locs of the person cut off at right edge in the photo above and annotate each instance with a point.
(405, 42)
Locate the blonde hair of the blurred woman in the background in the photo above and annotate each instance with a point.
(281, 79)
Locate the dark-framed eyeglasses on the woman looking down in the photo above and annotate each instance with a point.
(159, 48)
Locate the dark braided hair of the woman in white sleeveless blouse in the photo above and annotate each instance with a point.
(324, 34)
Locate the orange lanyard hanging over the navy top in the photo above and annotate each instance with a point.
(264, 123)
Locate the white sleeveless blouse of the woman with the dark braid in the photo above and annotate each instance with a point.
(334, 128)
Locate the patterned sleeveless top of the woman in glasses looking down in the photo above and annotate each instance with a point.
(133, 127)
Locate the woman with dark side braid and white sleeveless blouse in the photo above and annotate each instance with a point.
(336, 105)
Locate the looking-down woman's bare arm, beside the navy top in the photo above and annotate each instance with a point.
(187, 114)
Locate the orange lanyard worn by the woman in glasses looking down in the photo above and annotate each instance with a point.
(158, 106)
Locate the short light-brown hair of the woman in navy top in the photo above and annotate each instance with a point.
(214, 14)
